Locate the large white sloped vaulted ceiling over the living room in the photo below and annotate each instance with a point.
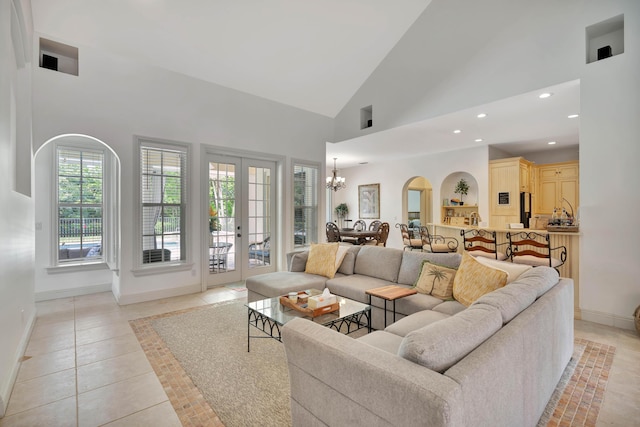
(310, 54)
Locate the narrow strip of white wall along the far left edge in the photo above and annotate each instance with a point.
(17, 309)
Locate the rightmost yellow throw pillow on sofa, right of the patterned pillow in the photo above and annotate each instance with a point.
(474, 279)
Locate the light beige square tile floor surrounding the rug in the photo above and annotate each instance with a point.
(85, 367)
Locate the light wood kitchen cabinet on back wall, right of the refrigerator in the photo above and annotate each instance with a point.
(555, 182)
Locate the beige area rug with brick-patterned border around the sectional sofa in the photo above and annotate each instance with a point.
(200, 357)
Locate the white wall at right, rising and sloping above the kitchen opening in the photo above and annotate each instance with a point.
(461, 53)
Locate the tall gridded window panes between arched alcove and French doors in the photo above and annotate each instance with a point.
(163, 191)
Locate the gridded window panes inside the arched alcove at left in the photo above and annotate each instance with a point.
(80, 185)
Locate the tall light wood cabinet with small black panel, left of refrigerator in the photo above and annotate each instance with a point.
(507, 179)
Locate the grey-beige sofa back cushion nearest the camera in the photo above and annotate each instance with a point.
(444, 343)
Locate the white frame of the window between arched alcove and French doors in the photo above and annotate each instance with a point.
(140, 268)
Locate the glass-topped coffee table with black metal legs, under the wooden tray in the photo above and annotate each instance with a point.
(268, 316)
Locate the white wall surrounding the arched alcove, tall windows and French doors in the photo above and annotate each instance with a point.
(113, 99)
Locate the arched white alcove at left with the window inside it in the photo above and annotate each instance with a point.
(76, 253)
